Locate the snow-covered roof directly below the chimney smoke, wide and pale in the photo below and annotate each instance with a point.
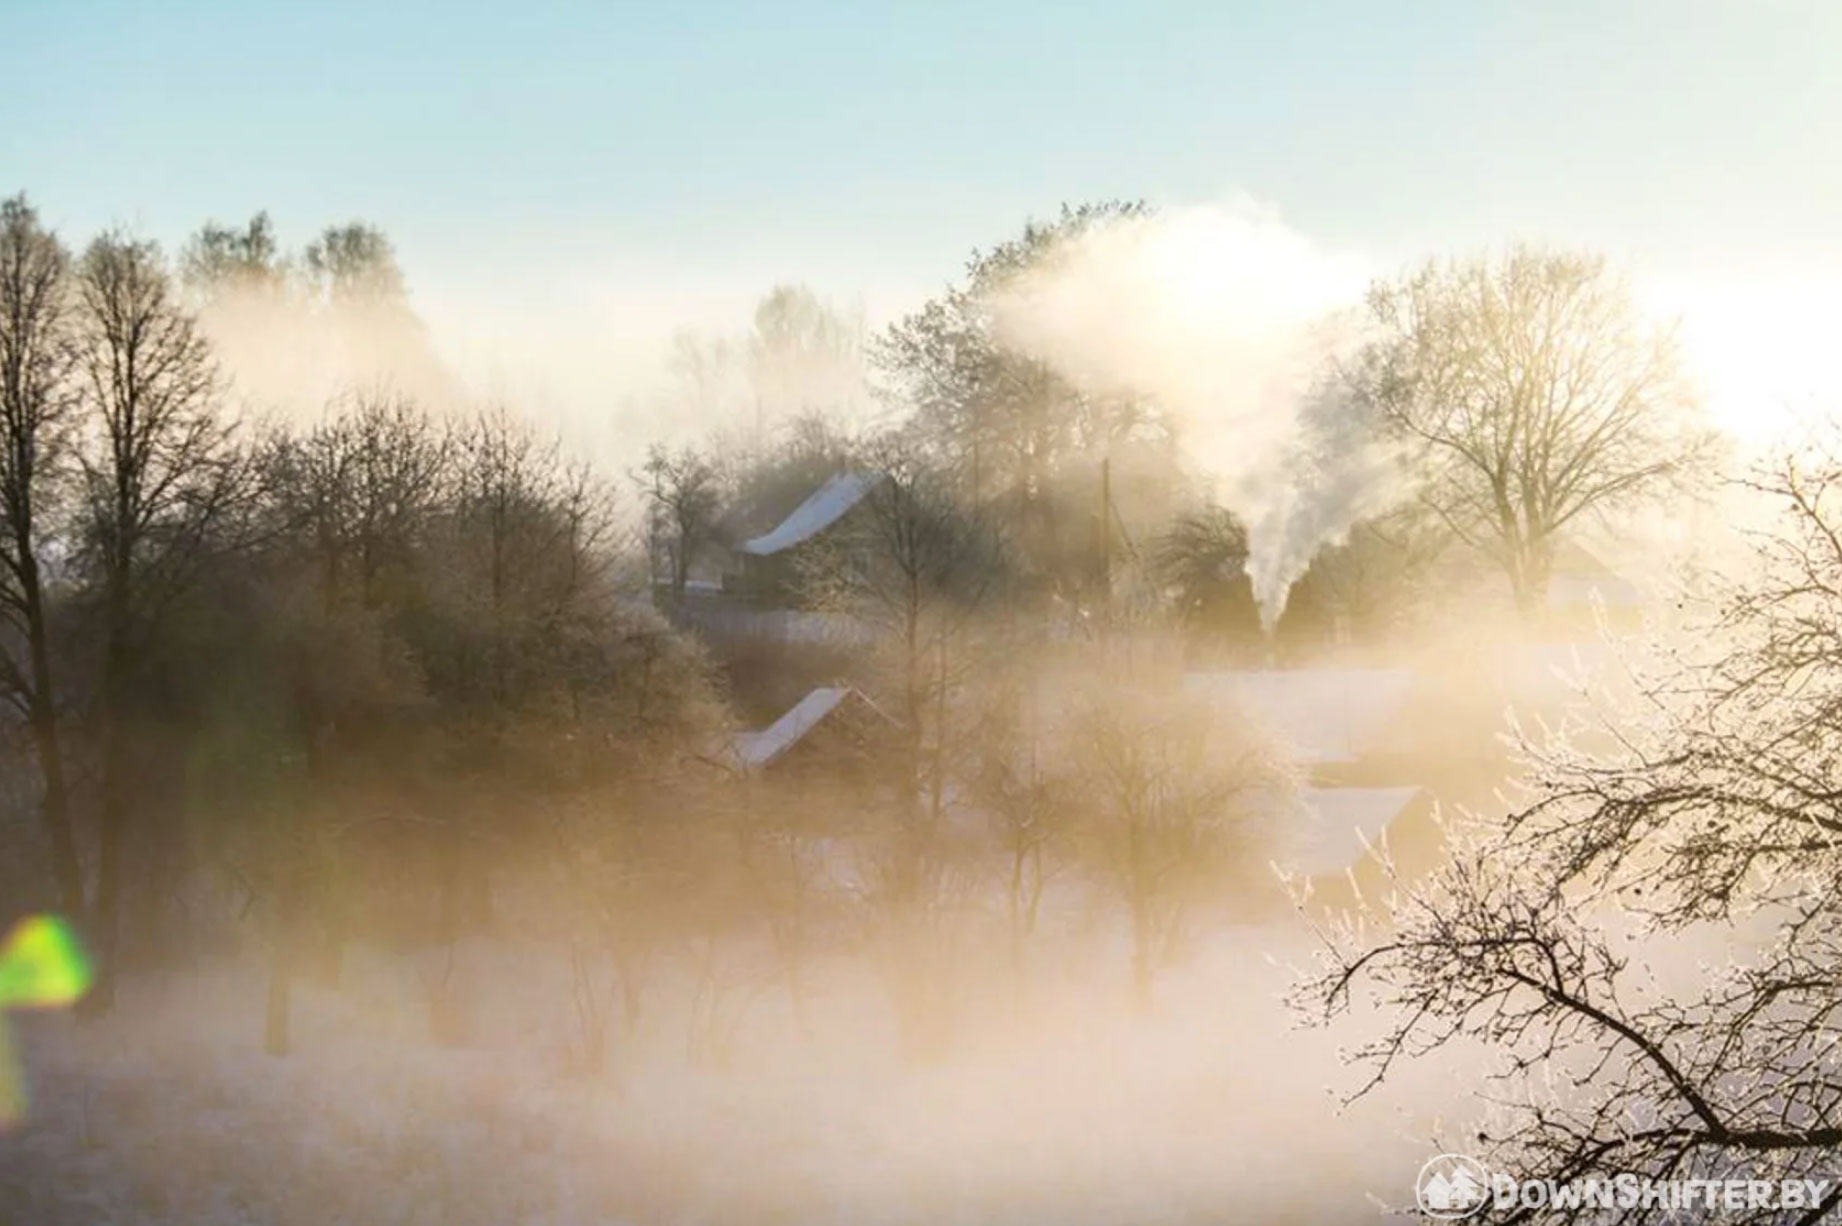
(1327, 715)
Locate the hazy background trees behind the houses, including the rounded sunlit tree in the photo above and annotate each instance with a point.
(1513, 402)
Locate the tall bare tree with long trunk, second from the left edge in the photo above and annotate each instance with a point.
(159, 480)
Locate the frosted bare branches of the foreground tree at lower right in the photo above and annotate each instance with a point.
(1572, 940)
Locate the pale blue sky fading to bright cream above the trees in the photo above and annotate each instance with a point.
(587, 176)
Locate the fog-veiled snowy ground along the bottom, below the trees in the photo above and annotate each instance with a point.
(1075, 1111)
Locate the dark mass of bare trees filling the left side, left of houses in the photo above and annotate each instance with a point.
(222, 632)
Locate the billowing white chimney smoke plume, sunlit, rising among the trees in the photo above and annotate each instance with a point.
(1226, 318)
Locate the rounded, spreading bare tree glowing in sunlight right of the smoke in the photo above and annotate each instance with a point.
(1533, 393)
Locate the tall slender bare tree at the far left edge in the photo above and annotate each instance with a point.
(36, 406)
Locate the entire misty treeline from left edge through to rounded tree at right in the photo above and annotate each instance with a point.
(373, 675)
